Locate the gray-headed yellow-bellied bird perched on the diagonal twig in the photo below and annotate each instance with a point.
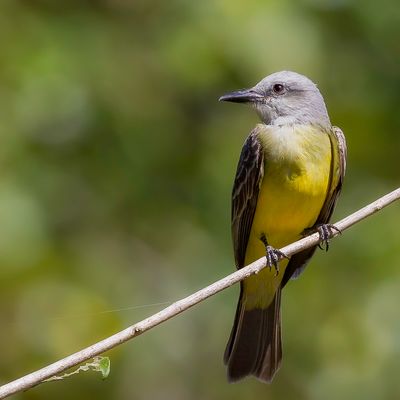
(288, 179)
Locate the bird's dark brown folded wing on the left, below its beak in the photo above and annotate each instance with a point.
(249, 174)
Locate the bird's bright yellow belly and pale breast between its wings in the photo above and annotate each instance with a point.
(291, 196)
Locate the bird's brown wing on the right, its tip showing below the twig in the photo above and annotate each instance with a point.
(299, 261)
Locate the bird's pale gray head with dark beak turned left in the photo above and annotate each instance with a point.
(284, 98)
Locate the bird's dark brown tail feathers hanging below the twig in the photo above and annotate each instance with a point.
(254, 347)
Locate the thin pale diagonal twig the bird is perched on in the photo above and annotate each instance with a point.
(176, 308)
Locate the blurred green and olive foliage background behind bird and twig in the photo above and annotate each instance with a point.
(116, 169)
